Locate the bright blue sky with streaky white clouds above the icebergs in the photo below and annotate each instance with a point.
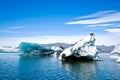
(50, 21)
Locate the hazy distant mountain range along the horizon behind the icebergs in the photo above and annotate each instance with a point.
(102, 48)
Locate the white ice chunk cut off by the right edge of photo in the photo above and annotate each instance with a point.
(115, 54)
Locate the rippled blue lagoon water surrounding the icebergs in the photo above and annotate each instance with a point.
(14, 67)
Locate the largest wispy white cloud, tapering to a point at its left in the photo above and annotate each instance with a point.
(102, 18)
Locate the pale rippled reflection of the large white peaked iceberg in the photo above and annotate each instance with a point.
(81, 70)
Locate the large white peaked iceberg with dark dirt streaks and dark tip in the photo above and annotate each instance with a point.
(82, 49)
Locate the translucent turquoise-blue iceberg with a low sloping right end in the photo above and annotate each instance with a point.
(30, 49)
